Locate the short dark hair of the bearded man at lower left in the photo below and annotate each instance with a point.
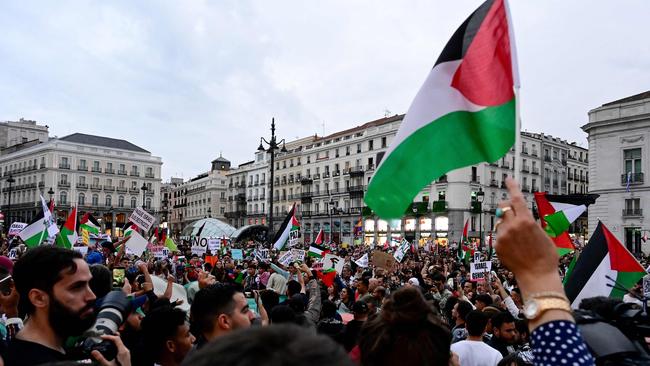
(41, 268)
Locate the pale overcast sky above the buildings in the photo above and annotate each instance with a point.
(187, 80)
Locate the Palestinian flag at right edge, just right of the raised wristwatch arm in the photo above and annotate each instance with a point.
(603, 256)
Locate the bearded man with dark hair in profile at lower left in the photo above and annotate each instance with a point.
(55, 295)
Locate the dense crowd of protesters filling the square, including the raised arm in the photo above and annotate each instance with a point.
(59, 306)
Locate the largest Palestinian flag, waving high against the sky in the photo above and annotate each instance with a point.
(466, 103)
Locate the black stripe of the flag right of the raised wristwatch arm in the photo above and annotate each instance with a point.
(590, 258)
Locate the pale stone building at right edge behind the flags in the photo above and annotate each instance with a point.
(619, 145)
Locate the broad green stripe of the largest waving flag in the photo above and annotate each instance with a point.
(453, 141)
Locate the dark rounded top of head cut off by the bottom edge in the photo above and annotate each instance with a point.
(286, 345)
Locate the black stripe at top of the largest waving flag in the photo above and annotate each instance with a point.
(464, 35)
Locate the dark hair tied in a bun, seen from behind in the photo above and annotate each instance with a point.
(407, 331)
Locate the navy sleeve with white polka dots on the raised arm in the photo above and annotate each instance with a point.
(559, 343)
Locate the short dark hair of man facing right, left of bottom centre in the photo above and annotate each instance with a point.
(208, 304)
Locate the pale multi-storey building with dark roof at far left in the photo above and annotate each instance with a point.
(104, 176)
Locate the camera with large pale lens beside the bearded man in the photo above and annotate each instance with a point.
(112, 312)
